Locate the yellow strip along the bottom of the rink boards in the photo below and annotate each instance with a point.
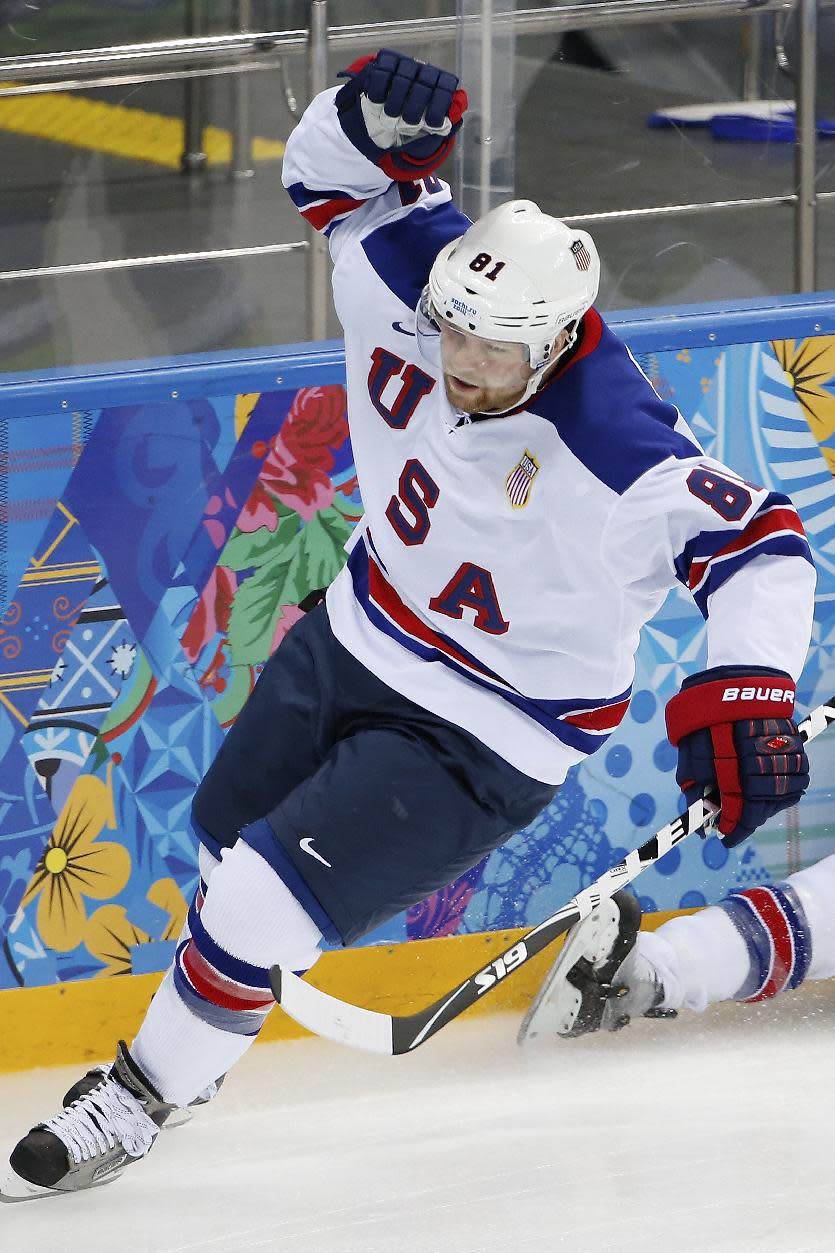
(82, 1022)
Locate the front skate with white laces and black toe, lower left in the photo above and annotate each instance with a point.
(91, 1142)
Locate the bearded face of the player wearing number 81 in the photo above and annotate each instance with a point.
(482, 375)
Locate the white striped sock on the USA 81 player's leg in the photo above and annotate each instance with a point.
(213, 1003)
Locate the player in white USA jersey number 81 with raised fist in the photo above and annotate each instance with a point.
(530, 502)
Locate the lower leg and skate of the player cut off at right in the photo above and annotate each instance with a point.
(755, 944)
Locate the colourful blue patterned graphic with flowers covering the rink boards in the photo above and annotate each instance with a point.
(154, 556)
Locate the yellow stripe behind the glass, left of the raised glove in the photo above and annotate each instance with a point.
(116, 130)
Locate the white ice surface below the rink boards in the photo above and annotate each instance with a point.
(713, 1133)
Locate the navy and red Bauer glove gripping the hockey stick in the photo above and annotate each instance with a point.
(735, 734)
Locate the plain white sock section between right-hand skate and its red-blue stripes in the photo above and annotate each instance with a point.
(699, 958)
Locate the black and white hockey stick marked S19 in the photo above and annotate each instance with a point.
(394, 1034)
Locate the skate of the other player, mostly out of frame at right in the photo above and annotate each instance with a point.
(599, 980)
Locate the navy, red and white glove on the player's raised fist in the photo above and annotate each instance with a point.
(401, 113)
